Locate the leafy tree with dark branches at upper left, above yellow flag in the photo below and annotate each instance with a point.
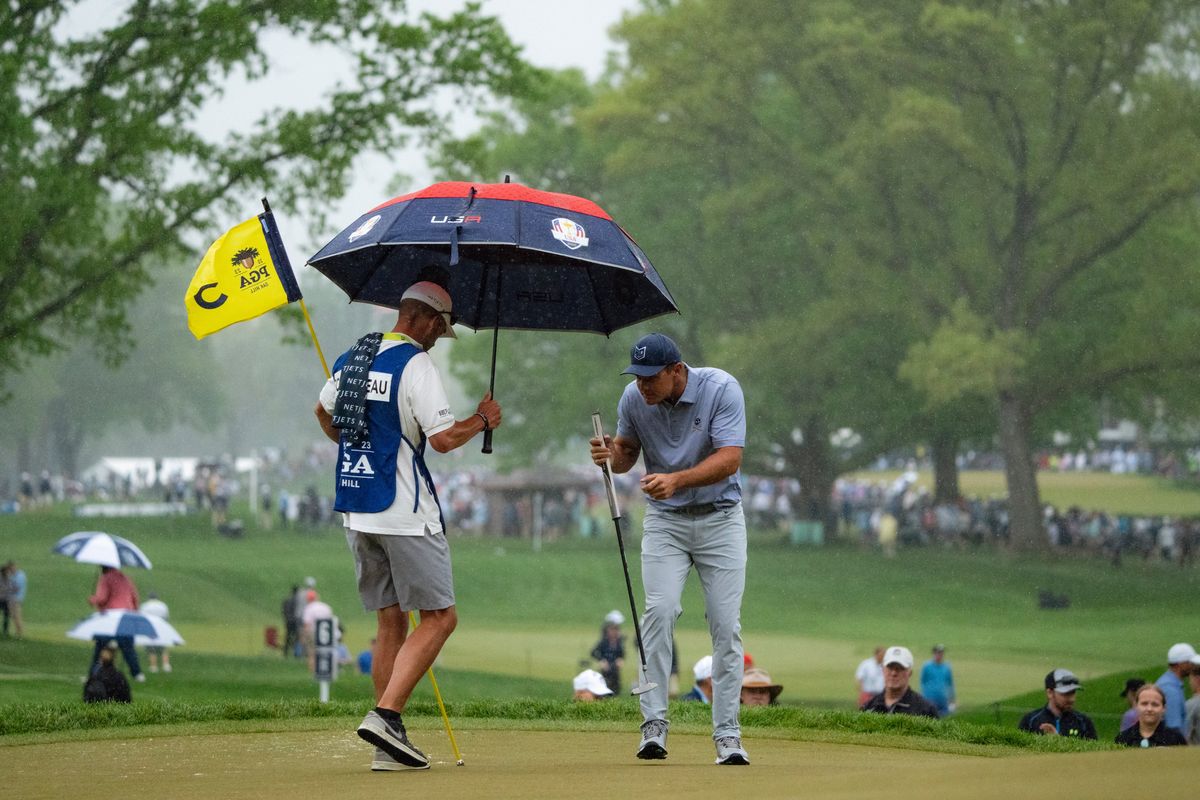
(103, 170)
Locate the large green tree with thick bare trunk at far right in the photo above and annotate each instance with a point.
(1027, 160)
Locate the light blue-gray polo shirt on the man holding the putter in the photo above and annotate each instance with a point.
(711, 414)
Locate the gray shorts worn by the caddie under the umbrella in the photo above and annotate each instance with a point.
(410, 572)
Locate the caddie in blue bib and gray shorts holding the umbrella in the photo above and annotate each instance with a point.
(385, 402)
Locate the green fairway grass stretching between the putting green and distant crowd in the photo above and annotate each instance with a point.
(529, 618)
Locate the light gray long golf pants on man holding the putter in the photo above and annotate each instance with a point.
(717, 545)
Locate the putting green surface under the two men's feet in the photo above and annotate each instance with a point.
(287, 765)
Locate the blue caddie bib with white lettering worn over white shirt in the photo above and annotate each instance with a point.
(367, 470)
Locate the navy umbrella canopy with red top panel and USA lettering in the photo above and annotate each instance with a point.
(519, 258)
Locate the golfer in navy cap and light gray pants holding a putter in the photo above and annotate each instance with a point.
(689, 423)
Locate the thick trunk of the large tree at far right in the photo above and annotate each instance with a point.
(1027, 531)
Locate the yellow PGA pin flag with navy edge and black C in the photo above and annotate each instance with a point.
(245, 274)
